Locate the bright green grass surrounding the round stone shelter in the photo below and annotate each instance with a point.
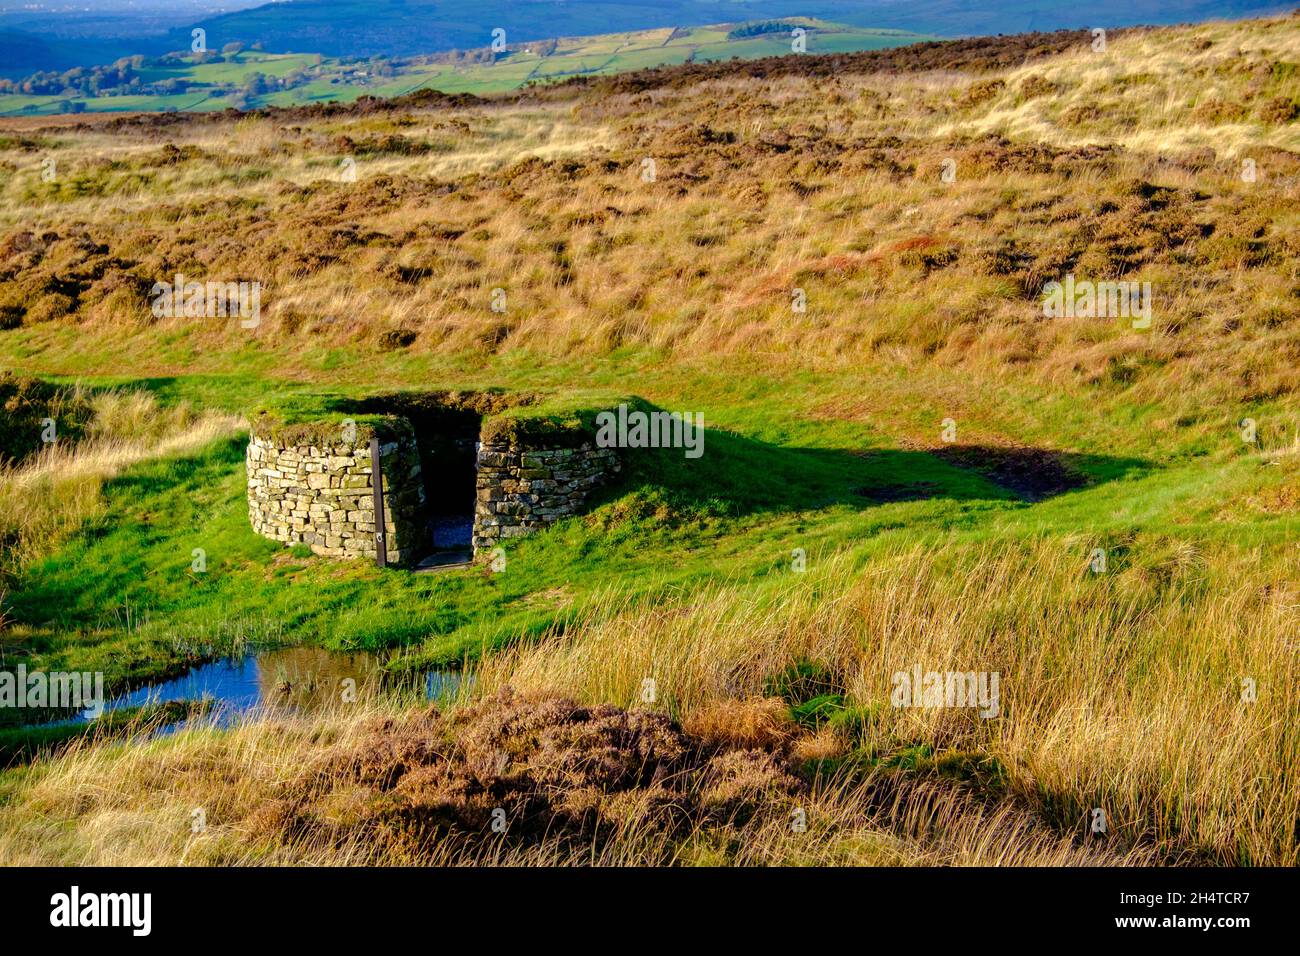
(122, 595)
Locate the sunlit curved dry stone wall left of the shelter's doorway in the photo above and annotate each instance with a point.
(322, 495)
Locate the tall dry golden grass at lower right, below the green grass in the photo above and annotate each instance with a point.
(1123, 694)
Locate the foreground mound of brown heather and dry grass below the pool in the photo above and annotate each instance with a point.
(577, 785)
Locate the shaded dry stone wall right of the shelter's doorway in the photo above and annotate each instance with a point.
(522, 490)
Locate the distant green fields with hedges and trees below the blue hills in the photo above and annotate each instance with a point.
(223, 85)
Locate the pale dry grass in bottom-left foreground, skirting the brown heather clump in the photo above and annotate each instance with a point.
(135, 804)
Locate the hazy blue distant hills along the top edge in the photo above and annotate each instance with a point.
(410, 28)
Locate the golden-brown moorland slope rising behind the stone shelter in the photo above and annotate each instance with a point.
(764, 185)
